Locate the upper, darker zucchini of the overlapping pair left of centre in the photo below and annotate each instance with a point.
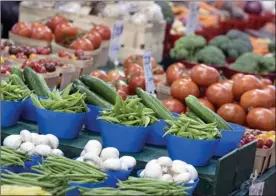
(100, 87)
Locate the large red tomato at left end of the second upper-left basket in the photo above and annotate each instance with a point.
(65, 33)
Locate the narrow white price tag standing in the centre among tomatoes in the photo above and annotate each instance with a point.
(150, 86)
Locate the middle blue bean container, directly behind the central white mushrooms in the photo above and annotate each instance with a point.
(124, 138)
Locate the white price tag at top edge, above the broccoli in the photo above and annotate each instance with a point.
(192, 17)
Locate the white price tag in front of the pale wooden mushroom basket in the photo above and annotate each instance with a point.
(115, 42)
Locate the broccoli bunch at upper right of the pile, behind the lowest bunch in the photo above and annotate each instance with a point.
(233, 44)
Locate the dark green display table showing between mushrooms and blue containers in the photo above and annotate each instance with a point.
(221, 177)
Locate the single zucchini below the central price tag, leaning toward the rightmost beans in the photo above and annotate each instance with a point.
(155, 104)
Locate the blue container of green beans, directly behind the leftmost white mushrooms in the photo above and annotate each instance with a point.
(62, 125)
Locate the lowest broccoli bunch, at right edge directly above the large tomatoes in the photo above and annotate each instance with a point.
(254, 63)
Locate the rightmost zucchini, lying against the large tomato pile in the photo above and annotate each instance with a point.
(204, 113)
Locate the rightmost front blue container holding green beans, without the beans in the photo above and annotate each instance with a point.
(191, 151)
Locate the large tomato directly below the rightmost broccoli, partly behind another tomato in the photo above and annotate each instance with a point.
(245, 83)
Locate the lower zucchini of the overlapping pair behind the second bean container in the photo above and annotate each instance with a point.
(92, 98)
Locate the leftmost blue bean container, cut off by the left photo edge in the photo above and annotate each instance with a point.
(10, 112)
